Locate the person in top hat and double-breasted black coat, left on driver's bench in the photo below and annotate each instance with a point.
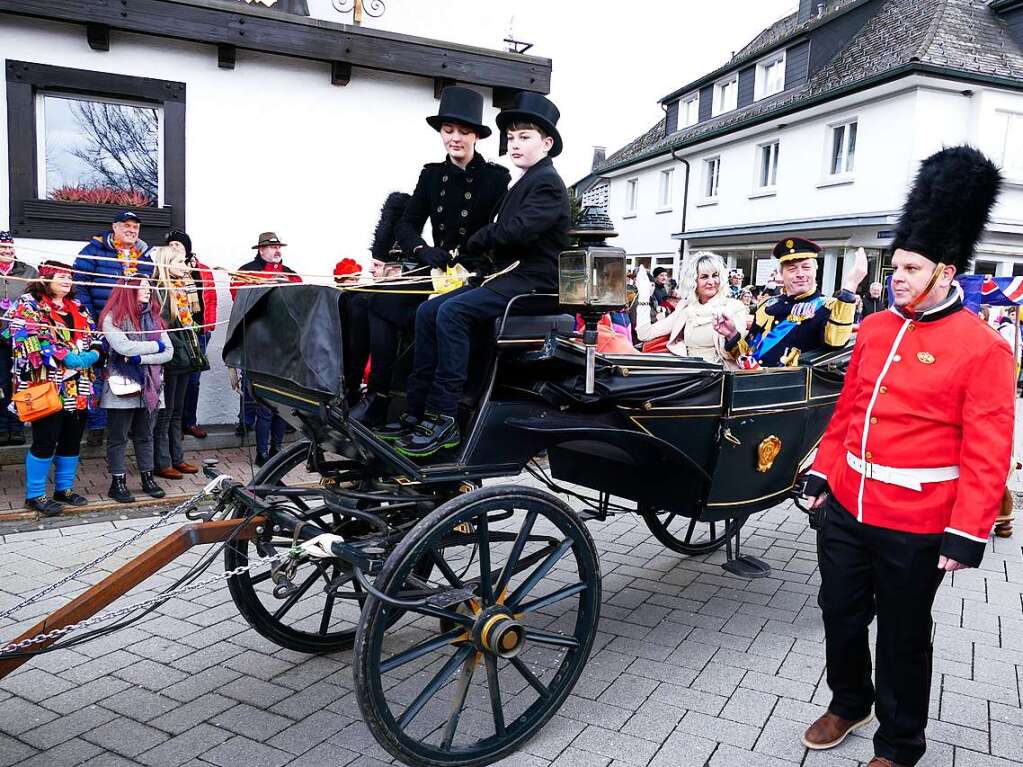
(458, 197)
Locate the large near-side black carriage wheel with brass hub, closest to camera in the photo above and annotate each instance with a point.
(471, 695)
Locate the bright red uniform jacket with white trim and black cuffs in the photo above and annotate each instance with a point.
(925, 394)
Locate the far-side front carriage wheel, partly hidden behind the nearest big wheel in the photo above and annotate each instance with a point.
(310, 620)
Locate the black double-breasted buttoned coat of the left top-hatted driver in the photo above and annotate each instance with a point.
(458, 203)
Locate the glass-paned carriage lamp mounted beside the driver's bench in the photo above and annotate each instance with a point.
(592, 279)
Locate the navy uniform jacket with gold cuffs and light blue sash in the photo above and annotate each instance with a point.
(785, 327)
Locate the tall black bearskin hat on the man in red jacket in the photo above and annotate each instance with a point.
(949, 206)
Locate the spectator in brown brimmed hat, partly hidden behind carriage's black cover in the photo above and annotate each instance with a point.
(269, 266)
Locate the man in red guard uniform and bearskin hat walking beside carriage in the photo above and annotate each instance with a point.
(910, 474)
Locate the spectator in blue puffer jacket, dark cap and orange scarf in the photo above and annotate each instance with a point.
(107, 258)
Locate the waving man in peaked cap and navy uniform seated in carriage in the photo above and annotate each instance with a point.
(800, 320)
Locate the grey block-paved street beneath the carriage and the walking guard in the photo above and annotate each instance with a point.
(691, 667)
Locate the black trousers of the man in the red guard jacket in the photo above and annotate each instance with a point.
(868, 571)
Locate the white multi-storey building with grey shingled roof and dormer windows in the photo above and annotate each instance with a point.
(818, 127)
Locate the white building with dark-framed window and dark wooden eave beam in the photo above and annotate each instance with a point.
(253, 120)
